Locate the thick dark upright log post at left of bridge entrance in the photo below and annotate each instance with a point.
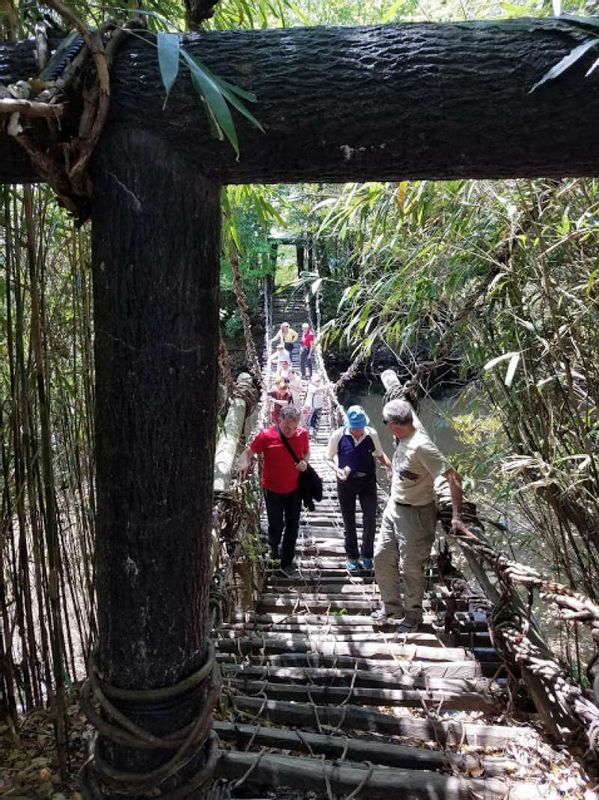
(156, 246)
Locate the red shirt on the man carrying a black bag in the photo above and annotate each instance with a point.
(278, 472)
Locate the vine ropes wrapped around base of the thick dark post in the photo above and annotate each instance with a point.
(187, 742)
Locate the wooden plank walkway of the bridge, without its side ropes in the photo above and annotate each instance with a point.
(320, 701)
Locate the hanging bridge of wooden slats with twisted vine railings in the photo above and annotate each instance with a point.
(320, 701)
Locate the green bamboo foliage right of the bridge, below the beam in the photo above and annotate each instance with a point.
(501, 274)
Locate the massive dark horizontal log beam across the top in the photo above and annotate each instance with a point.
(386, 102)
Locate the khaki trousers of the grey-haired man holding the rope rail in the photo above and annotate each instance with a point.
(402, 546)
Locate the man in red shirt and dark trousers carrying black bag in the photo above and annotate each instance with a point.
(280, 479)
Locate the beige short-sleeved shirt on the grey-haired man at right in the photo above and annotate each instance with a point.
(419, 456)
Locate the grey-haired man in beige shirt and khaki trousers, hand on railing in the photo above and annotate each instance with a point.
(407, 530)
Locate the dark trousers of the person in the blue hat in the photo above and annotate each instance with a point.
(365, 490)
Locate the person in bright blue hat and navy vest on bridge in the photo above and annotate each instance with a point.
(351, 452)
